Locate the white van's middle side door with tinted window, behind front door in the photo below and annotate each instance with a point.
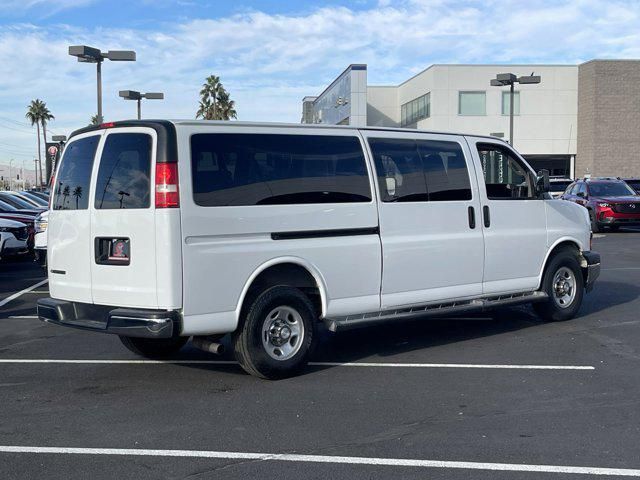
(432, 242)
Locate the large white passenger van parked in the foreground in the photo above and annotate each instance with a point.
(160, 231)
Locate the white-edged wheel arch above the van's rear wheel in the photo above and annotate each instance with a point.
(302, 270)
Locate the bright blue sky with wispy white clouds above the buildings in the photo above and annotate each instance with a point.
(271, 53)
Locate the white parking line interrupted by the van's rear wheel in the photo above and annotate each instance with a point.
(317, 364)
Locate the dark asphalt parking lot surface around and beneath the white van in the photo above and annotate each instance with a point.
(504, 396)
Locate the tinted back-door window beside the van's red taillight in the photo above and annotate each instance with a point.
(123, 175)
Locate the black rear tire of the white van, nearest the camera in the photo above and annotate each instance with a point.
(250, 349)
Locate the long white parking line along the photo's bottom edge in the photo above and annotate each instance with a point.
(286, 457)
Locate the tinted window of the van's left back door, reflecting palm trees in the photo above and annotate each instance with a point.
(74, 175)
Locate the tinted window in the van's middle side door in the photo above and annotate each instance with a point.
(418, 171)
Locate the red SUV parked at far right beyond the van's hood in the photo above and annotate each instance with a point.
(611, 202)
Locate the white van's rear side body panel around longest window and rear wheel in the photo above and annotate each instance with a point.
(224, 247)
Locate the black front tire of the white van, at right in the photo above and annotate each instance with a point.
(551, 309)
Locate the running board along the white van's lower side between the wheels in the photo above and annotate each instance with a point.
(437, 309)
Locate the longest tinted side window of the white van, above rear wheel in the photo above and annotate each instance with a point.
(269, 169)
